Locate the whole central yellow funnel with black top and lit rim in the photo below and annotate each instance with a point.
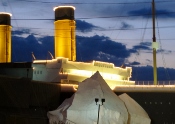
(65, 44)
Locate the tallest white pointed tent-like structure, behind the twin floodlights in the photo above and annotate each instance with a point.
(81, 108)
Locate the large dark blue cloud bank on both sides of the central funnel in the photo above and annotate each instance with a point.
(98, 48)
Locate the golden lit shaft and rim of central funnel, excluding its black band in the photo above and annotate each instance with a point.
(65, 43)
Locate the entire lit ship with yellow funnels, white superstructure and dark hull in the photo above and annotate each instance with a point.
(30, 90)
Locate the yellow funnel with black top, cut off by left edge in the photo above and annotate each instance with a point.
(5, 37)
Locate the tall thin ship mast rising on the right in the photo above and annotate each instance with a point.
(154, 44)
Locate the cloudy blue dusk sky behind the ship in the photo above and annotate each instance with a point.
(117, 31)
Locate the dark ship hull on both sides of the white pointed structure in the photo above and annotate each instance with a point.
(27, 102)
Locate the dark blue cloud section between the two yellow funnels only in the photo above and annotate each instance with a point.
(22, 48)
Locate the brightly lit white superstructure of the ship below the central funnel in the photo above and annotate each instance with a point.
(78, 71)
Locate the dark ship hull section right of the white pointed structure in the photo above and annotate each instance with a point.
(160, 106)
